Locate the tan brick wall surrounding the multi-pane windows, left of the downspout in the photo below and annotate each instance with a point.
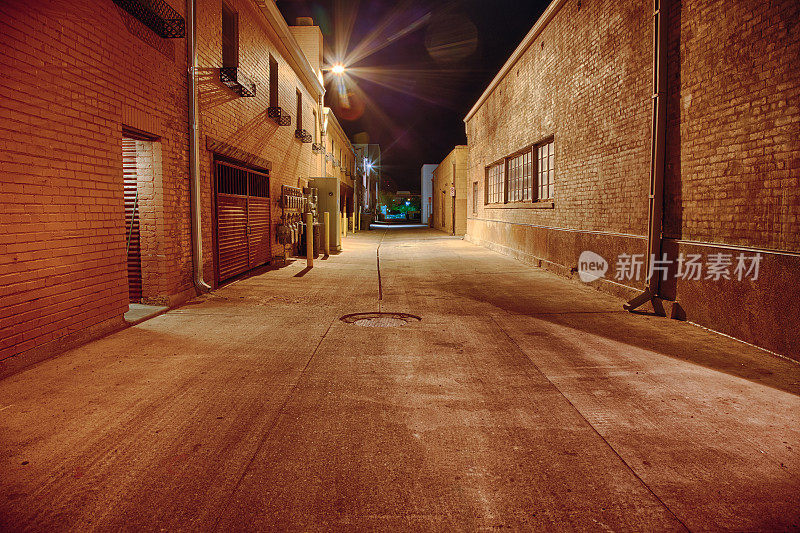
(585, 81)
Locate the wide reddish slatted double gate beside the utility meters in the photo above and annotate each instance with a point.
(243, 219)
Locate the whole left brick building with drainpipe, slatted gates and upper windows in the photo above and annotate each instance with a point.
(96, 157)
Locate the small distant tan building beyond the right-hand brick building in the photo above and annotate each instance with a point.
(449, 193)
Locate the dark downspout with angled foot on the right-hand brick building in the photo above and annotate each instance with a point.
(657, 158)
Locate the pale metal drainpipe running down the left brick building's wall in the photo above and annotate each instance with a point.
(194, 151)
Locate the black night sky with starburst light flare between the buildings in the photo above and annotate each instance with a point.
(415, 68)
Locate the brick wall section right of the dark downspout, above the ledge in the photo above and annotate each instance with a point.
(733, 147)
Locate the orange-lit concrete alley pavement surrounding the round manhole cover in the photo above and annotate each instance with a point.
(520, 400)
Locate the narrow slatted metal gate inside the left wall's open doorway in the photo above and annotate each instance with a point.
(132, 236)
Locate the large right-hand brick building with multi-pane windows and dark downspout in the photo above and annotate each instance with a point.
(563, 140)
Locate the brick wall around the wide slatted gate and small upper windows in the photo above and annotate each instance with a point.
(243, 122)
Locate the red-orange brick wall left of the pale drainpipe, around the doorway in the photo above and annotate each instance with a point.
(72, 74)
